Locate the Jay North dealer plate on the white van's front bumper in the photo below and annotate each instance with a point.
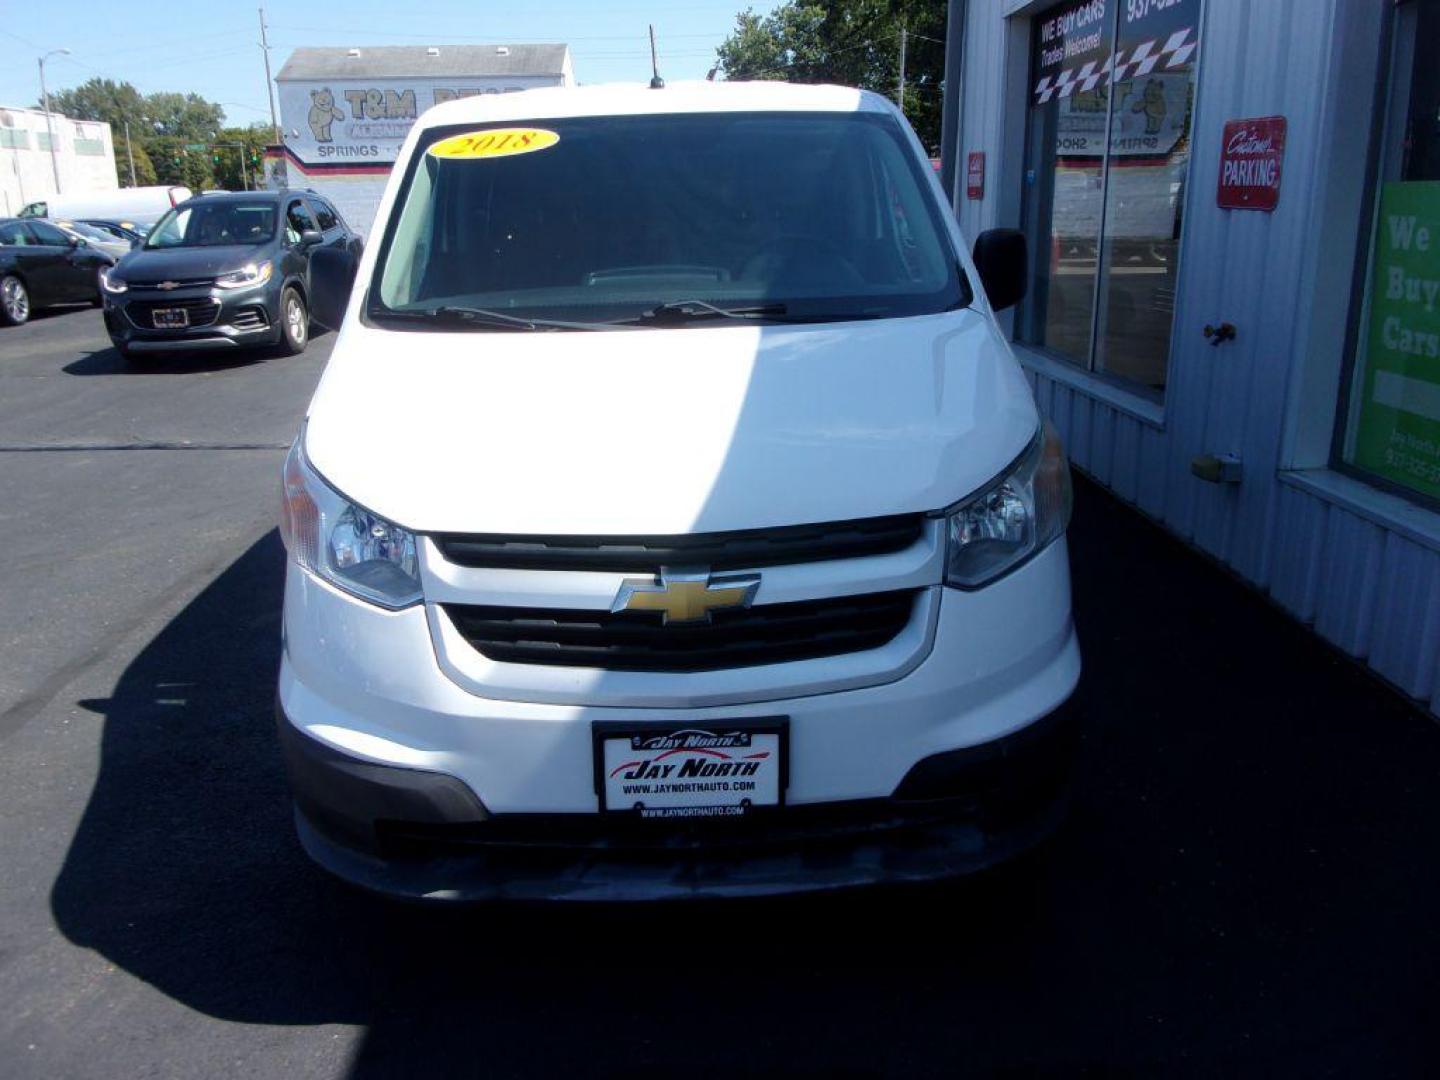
(712, 771)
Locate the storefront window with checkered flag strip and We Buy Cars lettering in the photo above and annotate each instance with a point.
(1110, 138)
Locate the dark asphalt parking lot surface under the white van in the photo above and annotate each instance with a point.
(1245, 886)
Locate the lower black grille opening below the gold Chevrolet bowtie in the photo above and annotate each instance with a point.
(640, 642)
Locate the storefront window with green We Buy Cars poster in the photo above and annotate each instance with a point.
(1392, 417)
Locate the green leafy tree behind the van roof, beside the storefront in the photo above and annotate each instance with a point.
(850, 42)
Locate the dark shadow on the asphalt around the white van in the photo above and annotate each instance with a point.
(1246, 882)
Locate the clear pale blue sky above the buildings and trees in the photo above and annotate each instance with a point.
(214, 50)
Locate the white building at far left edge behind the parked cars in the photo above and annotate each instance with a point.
(84, 156)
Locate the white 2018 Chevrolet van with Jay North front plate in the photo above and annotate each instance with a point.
(673, 518)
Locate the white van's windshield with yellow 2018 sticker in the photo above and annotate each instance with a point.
(666, 218)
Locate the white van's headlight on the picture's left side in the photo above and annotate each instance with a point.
(351, 548)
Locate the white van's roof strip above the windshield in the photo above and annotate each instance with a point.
(637, 99)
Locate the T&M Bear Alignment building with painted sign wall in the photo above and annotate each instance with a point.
(345, 113)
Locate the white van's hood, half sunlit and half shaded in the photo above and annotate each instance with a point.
(667, 431)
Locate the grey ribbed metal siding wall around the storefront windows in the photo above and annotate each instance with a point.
(1364, 588)
